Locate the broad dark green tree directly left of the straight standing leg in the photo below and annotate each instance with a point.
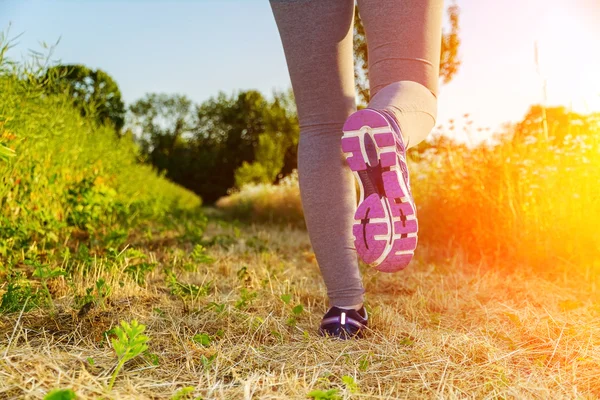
(253, 140)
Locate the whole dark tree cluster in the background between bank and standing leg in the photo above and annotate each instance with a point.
(221, 143)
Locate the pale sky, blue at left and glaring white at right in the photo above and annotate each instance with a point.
(199, 48)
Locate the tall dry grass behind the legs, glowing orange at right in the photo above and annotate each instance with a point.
(523, 199)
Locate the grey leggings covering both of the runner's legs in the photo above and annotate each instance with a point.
(404, 39)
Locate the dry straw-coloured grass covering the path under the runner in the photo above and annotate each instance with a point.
(442, 330)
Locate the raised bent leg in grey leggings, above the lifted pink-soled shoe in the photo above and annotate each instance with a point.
(404, 43)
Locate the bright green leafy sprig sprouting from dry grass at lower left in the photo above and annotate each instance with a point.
(130, 343)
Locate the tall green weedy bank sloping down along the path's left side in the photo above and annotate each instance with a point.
(71, 186)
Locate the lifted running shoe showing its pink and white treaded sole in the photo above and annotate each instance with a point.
(385, 228)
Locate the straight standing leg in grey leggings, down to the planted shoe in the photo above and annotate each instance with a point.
(317, 41)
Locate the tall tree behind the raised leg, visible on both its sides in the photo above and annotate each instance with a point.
(449, 60)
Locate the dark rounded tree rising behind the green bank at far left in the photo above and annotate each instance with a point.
(94, 92)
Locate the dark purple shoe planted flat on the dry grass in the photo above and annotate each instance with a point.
(344, 324)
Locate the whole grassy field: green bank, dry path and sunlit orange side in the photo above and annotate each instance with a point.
(116, 284)
